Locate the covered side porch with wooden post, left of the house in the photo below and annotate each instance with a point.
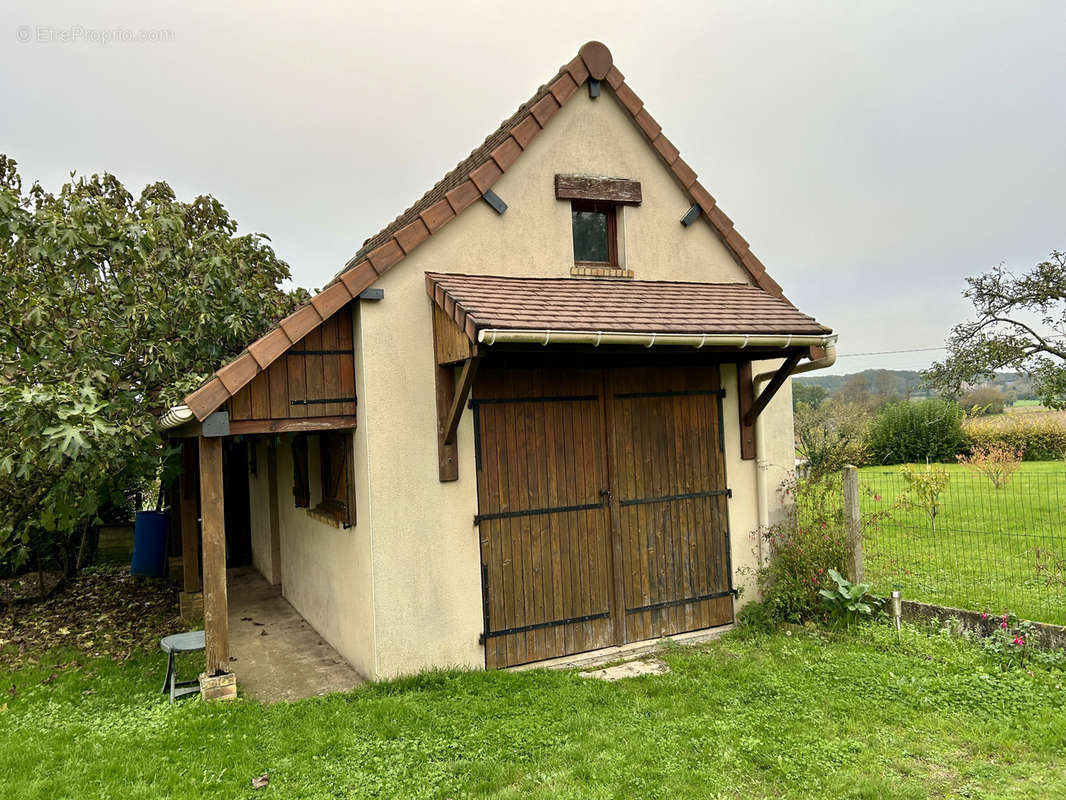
(228, 506)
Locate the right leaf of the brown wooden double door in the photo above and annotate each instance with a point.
(668, 476)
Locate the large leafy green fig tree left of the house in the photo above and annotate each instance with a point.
(112, 308)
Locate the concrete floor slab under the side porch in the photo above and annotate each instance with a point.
(274, 652)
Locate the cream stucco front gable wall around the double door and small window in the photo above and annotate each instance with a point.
(425, 555)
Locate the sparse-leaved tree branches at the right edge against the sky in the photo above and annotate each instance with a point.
(1021, 325)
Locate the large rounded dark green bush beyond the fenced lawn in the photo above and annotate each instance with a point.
(930, 430)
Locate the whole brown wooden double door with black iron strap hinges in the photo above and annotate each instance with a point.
(602, 508)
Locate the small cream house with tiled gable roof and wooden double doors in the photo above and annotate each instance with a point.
(543, 412)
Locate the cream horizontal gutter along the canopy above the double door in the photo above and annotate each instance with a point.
(492, 337)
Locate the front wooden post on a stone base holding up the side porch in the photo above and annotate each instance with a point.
(216, 603)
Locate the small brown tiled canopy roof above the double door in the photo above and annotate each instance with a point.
(480, 302)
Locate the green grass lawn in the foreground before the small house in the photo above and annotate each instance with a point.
(800, 716)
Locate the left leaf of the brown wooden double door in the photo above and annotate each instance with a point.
(543, 521)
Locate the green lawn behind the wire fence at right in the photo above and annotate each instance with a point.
(988, 545)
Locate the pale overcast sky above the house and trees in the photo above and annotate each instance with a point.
(874, 154)
